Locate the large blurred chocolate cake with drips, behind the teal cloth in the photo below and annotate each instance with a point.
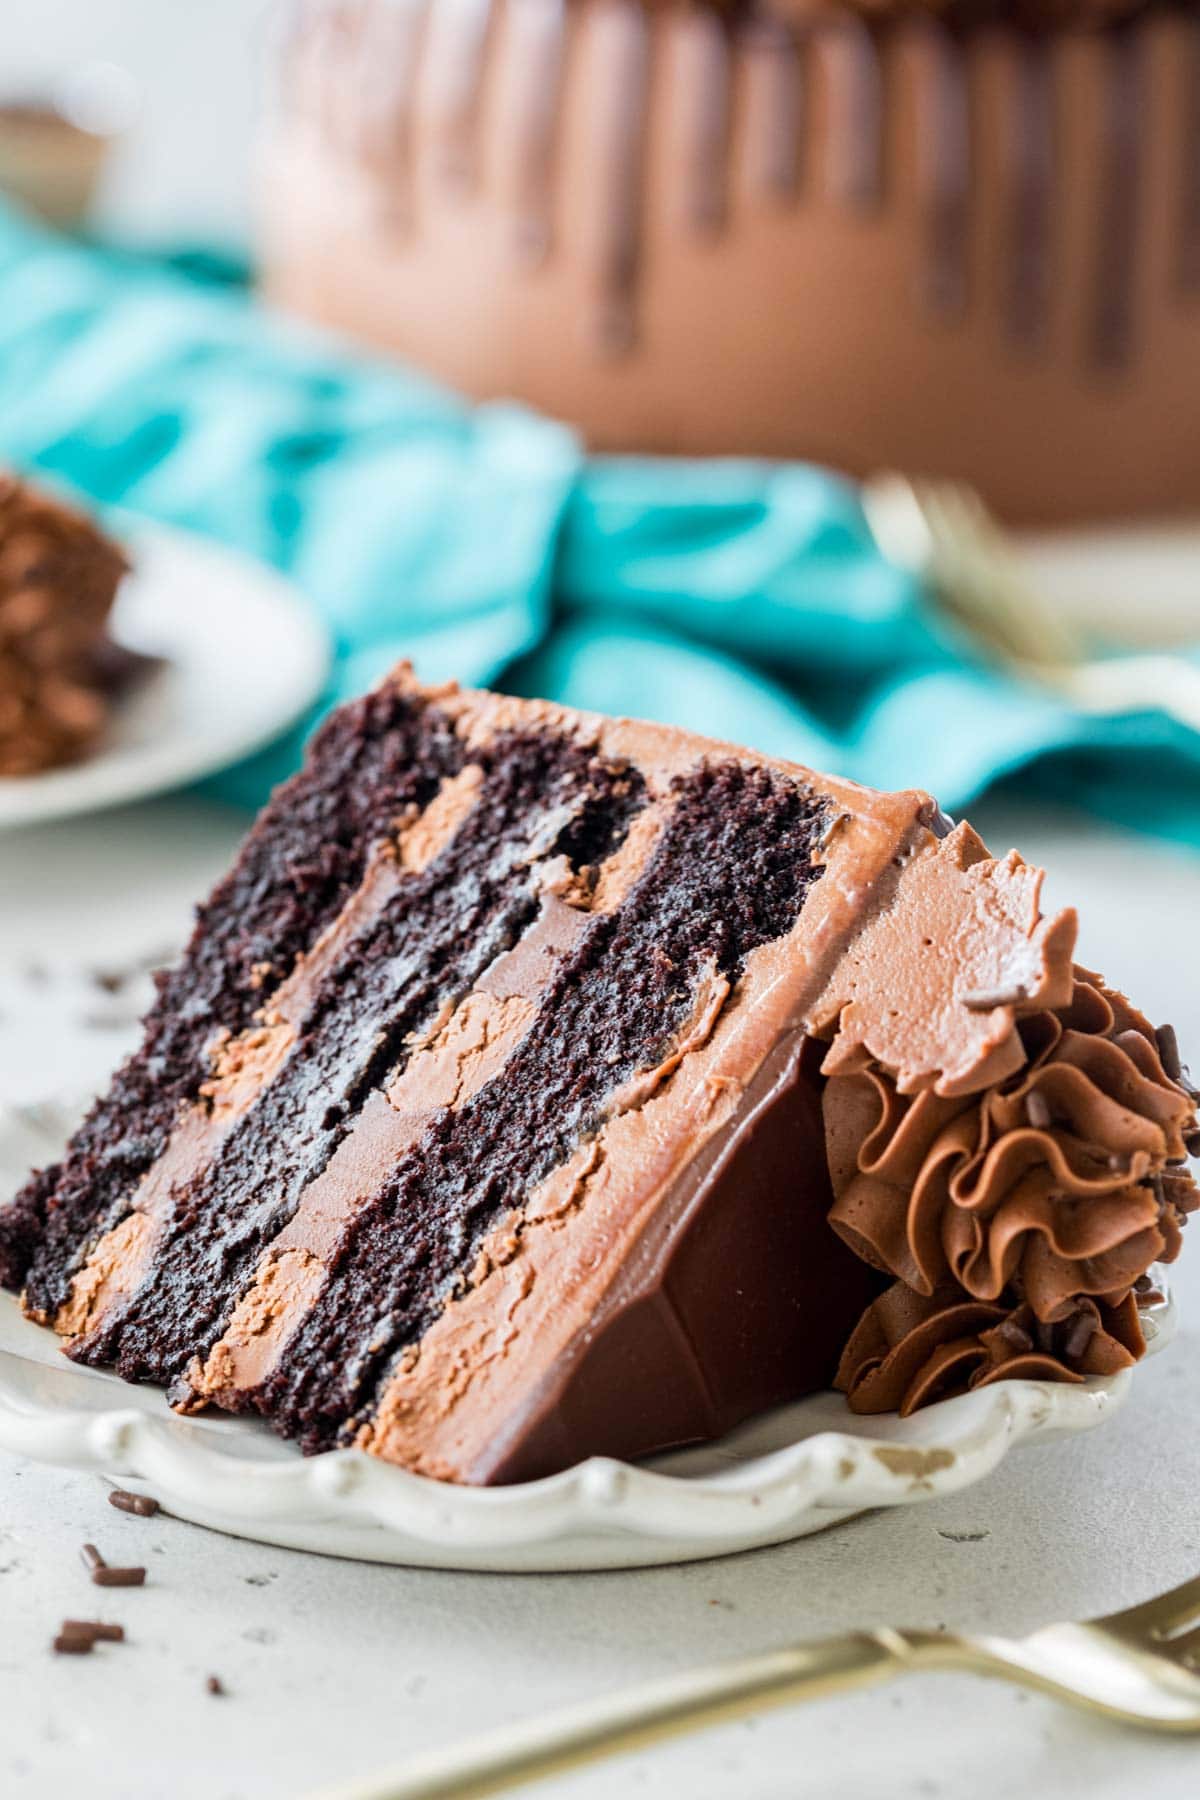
(949, 237)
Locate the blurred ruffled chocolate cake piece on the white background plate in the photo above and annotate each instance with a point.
(58, 667)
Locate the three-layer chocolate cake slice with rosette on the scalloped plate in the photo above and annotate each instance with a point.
(542, 1084)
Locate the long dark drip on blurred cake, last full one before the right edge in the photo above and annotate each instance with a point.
(1118, 220)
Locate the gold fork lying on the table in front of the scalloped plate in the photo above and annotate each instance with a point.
(1142, 1666)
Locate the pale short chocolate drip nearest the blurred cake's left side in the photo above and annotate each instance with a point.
(388, 102)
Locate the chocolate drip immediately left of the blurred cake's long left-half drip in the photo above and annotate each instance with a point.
(535, 42)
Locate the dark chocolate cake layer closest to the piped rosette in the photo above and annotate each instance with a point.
(731, 872)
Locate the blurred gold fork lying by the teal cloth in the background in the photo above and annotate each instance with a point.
(944, 534)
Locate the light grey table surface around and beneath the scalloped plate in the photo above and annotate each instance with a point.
(336, 1668)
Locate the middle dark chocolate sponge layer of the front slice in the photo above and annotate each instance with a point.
(434, 931)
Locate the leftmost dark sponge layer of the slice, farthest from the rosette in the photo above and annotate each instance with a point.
(300, 865)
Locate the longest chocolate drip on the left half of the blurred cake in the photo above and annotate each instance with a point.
(622, 62)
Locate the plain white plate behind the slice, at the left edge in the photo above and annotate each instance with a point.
(244, 656)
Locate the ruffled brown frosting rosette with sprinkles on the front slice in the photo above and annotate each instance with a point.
(1019, 1221)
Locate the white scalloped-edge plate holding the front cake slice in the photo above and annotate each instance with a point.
(782, 1477)
